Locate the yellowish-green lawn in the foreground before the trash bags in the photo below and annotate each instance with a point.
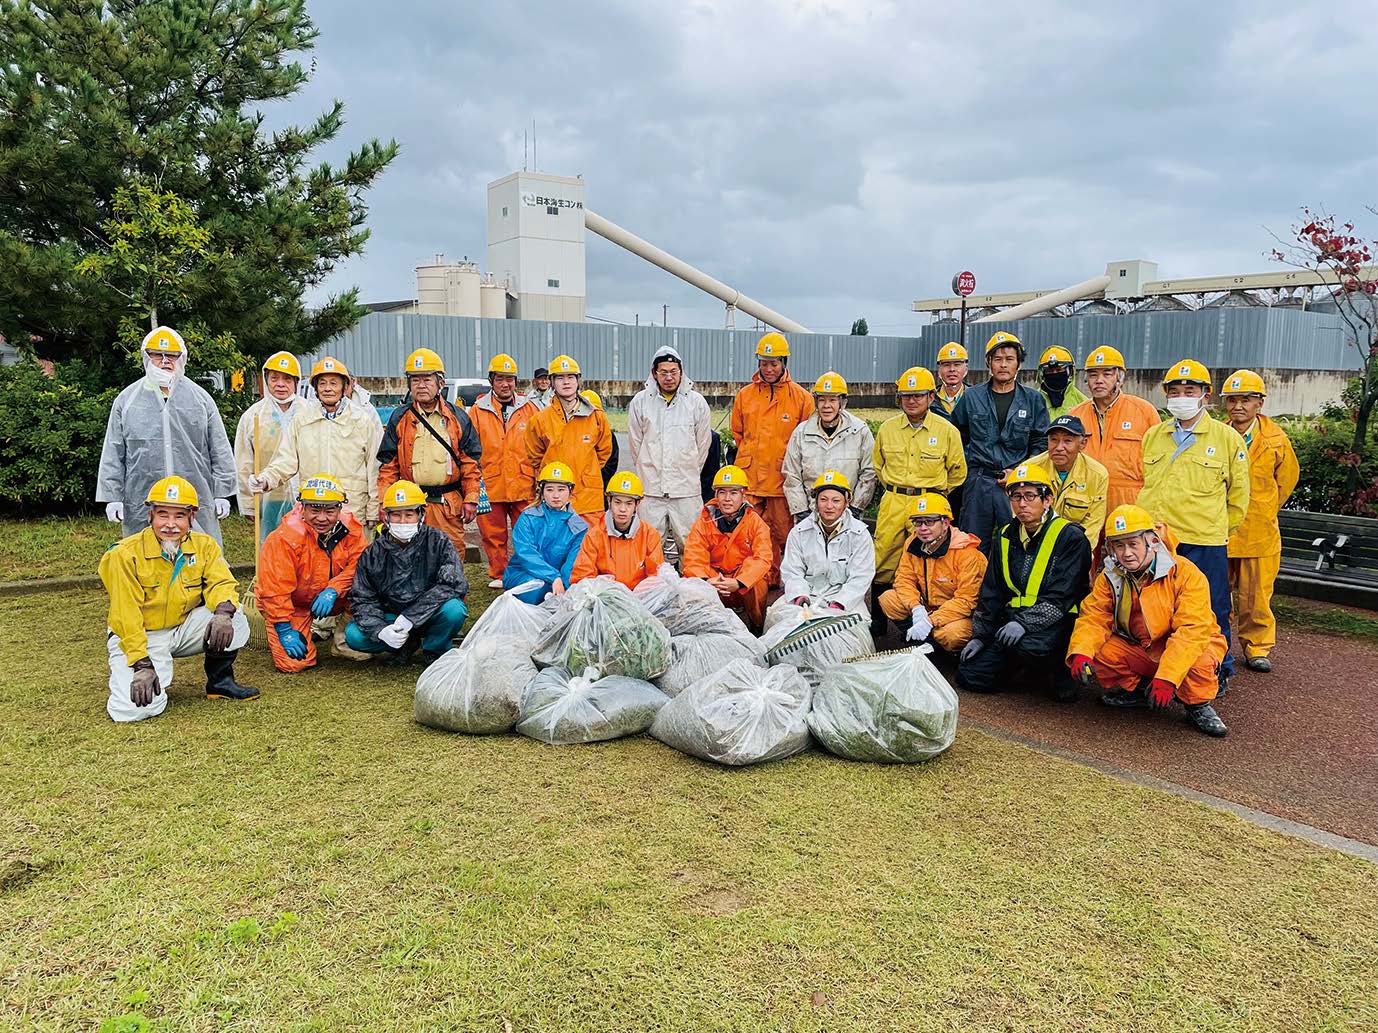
(318, 862)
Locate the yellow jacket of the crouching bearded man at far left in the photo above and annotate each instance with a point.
(151, 593)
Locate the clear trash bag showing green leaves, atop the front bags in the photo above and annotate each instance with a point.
(604, 627)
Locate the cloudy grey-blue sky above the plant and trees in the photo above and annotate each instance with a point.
(837, 159)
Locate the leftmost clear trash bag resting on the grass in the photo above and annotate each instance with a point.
(477, 688)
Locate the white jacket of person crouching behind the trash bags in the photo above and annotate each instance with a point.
(829, 572)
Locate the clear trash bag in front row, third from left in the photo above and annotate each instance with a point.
(741, 716)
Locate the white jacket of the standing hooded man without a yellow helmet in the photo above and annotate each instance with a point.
(669, 441)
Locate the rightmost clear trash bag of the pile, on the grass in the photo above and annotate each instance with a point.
(889, 709)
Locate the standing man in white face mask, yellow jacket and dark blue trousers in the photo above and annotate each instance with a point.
(1197, 483)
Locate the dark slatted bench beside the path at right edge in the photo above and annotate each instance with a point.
(1330, 559)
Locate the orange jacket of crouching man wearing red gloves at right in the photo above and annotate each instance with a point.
(1176, 609)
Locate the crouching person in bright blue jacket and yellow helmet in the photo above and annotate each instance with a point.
(546, 538)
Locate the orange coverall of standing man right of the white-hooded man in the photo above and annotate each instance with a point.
(764, 417)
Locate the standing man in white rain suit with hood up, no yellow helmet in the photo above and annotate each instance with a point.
(669, 435)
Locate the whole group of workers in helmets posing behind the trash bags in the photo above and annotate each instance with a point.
(1077, 541)
